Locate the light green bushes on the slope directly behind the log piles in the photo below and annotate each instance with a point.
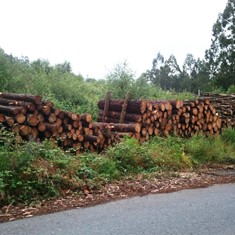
(72, 92)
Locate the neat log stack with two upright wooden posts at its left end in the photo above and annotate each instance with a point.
(161, 118)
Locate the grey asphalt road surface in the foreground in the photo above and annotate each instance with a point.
(199, 211)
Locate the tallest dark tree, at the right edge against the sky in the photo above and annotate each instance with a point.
(221, 55)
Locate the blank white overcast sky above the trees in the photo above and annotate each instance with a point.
(95, 35)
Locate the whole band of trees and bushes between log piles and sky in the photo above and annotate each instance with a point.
(164, 80)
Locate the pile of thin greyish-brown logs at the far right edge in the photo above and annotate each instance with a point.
(225, 107)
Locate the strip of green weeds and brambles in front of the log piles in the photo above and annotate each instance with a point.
(35, 171)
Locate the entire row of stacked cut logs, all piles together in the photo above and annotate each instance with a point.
(33, 118)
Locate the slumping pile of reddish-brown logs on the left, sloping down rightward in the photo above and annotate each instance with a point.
(32, 118)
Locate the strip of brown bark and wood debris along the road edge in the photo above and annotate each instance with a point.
(140, 186)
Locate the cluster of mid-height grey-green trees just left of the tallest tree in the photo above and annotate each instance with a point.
(167, 74)
